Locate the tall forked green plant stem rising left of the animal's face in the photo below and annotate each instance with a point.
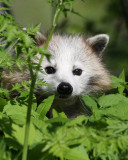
(33, 81)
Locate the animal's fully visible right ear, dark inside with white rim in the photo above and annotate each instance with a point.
(98, 43)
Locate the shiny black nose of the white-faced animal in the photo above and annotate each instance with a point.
(64, 88)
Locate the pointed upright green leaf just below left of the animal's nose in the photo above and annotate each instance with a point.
(44, 107)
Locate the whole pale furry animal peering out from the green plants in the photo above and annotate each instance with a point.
(74, 69)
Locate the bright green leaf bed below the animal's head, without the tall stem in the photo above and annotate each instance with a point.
(104, 135)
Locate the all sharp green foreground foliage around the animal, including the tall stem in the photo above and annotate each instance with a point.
(104, 135)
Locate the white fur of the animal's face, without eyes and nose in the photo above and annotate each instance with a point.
(69, 53)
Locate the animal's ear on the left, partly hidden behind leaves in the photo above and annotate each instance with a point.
(40, 39)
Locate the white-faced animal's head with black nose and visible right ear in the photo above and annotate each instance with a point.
(75, 67)
